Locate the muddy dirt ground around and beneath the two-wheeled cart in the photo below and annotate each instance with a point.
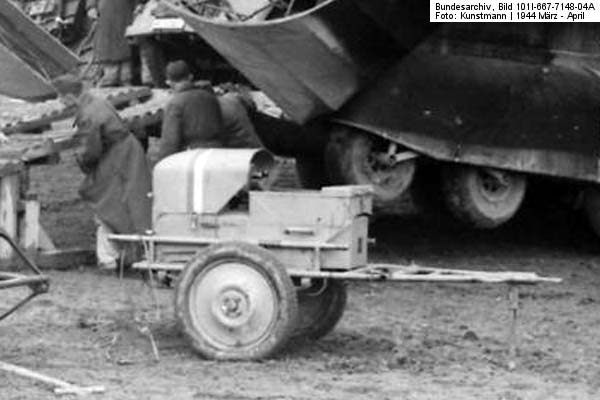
(420, 341)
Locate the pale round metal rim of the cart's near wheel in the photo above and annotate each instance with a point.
(233, 304)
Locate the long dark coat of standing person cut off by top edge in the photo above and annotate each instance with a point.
(110, 44)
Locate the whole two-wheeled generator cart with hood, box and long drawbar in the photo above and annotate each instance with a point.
(260, 266)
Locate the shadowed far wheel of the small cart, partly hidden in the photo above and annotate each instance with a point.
(320, 308)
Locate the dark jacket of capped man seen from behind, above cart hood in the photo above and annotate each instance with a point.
(192, 119)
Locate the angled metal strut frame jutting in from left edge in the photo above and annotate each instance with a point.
(37, 283)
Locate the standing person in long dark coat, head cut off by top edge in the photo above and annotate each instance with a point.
(111, 49)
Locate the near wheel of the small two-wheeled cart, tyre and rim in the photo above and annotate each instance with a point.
(235, 301)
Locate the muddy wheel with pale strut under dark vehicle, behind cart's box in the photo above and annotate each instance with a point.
(349, 161)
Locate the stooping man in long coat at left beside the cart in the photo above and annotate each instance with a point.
(117, 176)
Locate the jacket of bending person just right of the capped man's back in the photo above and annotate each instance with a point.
(238, 131)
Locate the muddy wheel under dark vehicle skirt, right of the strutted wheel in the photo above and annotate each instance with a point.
(477, 196)
